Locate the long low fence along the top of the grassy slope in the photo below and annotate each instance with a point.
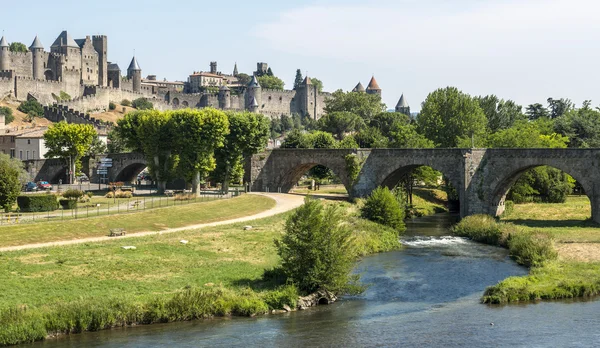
(119, 206)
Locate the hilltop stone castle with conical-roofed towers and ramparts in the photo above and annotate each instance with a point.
(81, 69)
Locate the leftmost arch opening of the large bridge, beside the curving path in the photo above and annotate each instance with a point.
(325, 179)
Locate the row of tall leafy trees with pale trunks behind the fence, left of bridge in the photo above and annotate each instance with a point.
(193, 144)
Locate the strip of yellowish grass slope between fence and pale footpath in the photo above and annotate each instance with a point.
(151, 220)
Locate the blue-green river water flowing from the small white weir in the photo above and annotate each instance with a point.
(424, 295)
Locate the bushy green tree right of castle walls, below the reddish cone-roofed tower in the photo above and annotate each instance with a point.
(362, 104)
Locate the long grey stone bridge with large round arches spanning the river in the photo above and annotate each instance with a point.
(482, 177)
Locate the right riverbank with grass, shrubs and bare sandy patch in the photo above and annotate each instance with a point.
(557, 241)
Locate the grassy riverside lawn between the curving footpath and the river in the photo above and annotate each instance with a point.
(100, 285)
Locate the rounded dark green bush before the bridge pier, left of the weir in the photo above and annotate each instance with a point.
(383, 207)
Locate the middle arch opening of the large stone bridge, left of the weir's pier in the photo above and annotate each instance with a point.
(421, 180)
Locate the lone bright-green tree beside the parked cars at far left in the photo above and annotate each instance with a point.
(70, 142)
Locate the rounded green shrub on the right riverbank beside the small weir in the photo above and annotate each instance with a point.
(480, 228)
